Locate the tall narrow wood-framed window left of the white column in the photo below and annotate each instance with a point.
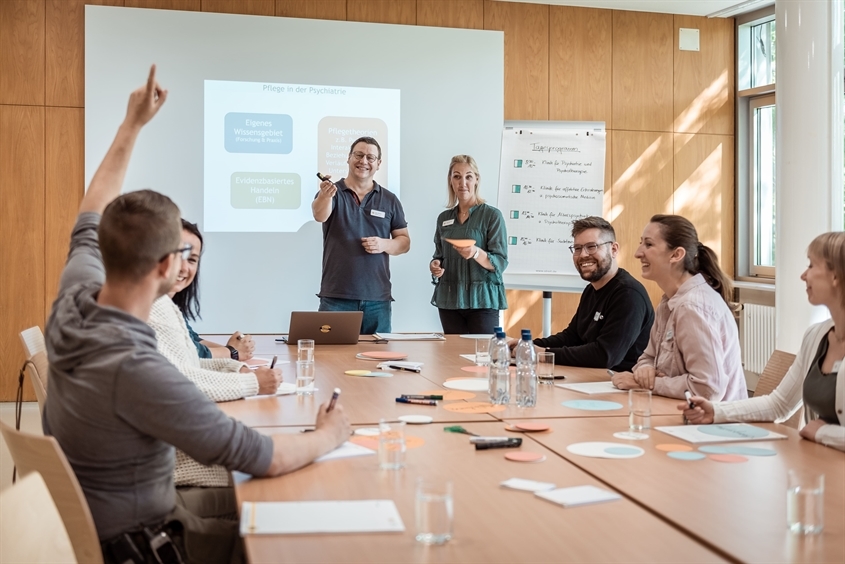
(756, 135)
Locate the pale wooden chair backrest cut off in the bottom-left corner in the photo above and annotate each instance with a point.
(32, 528)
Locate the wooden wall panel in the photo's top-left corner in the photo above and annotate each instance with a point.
(22, 52)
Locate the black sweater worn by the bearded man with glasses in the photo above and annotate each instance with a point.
(610, 329)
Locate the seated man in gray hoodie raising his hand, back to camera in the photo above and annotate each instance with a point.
(116, 406)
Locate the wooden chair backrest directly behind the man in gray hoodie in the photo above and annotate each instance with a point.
(33, 453)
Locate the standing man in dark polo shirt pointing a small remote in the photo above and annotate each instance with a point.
(363, 223)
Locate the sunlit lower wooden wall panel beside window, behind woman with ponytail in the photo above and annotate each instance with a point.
(704, 190)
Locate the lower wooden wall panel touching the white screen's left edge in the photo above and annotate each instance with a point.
(64, 188)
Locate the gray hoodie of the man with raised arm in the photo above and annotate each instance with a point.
(117, 407)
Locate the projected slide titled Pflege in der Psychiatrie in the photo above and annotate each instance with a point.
(265, 142)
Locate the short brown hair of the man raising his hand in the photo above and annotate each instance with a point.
(136, 231)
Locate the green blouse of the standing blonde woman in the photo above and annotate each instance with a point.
(465, 284)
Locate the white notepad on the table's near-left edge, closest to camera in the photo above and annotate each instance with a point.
(301, 517)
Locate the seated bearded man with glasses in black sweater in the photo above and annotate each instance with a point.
(611, 327)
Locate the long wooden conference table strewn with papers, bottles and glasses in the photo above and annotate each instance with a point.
(672, 510)
